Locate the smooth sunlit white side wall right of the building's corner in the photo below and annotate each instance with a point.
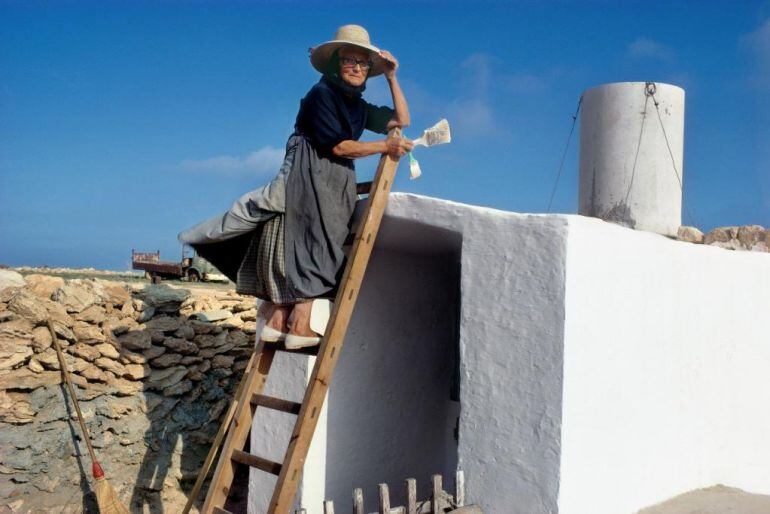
(666, 360)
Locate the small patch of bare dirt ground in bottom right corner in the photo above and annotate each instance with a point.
(713, 500)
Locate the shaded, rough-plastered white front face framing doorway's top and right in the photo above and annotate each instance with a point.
(511, 350)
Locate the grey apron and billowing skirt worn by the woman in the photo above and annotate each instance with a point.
(285, 253)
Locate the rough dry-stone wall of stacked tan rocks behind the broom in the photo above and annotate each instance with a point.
(153, 383)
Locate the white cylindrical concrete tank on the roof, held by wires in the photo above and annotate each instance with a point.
(626, 171)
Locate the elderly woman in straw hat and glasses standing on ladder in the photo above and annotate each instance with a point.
(283, 242)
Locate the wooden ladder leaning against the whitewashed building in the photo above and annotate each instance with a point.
(249, 395)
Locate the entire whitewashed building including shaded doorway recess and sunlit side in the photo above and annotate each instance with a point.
(602, 369)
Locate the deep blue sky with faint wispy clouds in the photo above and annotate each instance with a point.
(122, 123)
